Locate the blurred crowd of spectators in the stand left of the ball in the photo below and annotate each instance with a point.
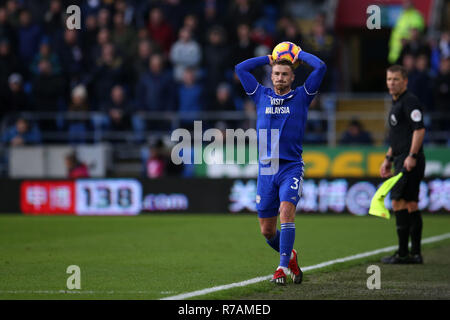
(131, 57)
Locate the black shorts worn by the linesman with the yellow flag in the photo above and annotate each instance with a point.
(408, 187)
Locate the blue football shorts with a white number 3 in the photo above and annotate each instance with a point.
(284, 185)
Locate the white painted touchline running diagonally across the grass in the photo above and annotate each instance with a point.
(313, 267)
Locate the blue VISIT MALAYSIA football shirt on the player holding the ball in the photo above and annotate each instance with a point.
(287, 113)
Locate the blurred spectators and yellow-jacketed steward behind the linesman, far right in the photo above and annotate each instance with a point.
(427, 61)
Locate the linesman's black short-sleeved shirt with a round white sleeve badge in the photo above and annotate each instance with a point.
(406, 115)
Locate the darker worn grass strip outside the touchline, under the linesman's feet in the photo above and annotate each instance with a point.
(430, 280)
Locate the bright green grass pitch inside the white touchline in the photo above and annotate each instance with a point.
(156, 256)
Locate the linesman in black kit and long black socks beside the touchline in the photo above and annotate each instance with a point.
(406, 134)
